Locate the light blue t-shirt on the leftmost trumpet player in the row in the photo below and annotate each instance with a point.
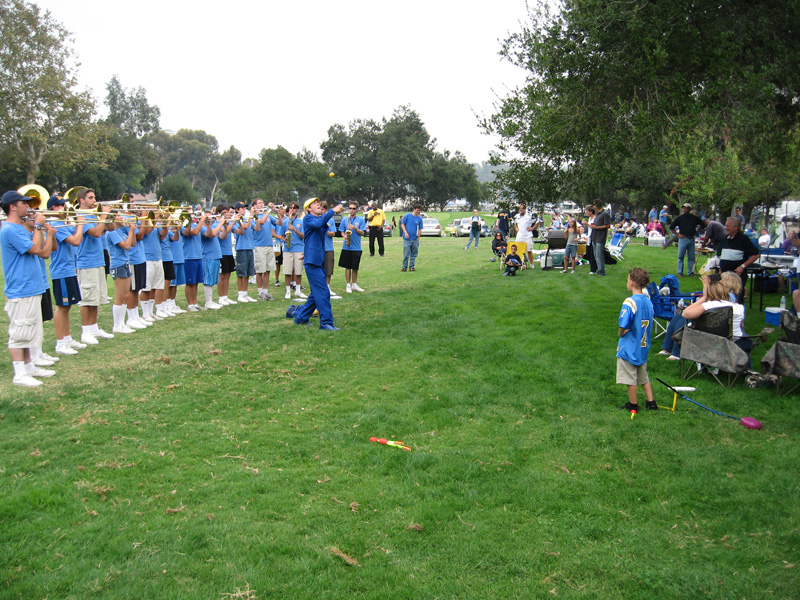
(23, 276)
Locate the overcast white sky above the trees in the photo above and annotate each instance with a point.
(262, 74)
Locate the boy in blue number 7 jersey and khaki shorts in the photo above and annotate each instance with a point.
(635, 329)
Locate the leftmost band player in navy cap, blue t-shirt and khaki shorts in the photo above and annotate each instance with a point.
(20, 247)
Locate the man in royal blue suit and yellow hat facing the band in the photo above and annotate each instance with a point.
(315, 227)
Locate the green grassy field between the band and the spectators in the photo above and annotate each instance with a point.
(226, 454)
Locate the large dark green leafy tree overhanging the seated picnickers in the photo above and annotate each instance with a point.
(609, 82)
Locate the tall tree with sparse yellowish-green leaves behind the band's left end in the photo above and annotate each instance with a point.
(43, 120)
